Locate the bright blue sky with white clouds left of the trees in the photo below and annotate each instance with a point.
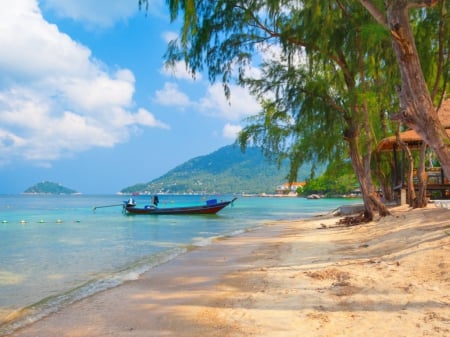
(86, 101)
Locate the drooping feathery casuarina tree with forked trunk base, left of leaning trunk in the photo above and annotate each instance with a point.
(324, 94)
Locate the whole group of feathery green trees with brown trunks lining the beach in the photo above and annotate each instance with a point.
(335, 78)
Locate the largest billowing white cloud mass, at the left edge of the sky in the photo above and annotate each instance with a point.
(55, 98)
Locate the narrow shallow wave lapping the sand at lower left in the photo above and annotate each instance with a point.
(52, 304)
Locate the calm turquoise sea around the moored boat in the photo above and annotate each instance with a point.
(55, 250)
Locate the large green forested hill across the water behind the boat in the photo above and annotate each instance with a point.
(226, 170)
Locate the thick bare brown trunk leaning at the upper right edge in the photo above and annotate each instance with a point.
(417, 110)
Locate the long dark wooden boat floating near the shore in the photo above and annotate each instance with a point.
(211, 207)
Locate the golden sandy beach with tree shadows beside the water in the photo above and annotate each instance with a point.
(390, 277)
